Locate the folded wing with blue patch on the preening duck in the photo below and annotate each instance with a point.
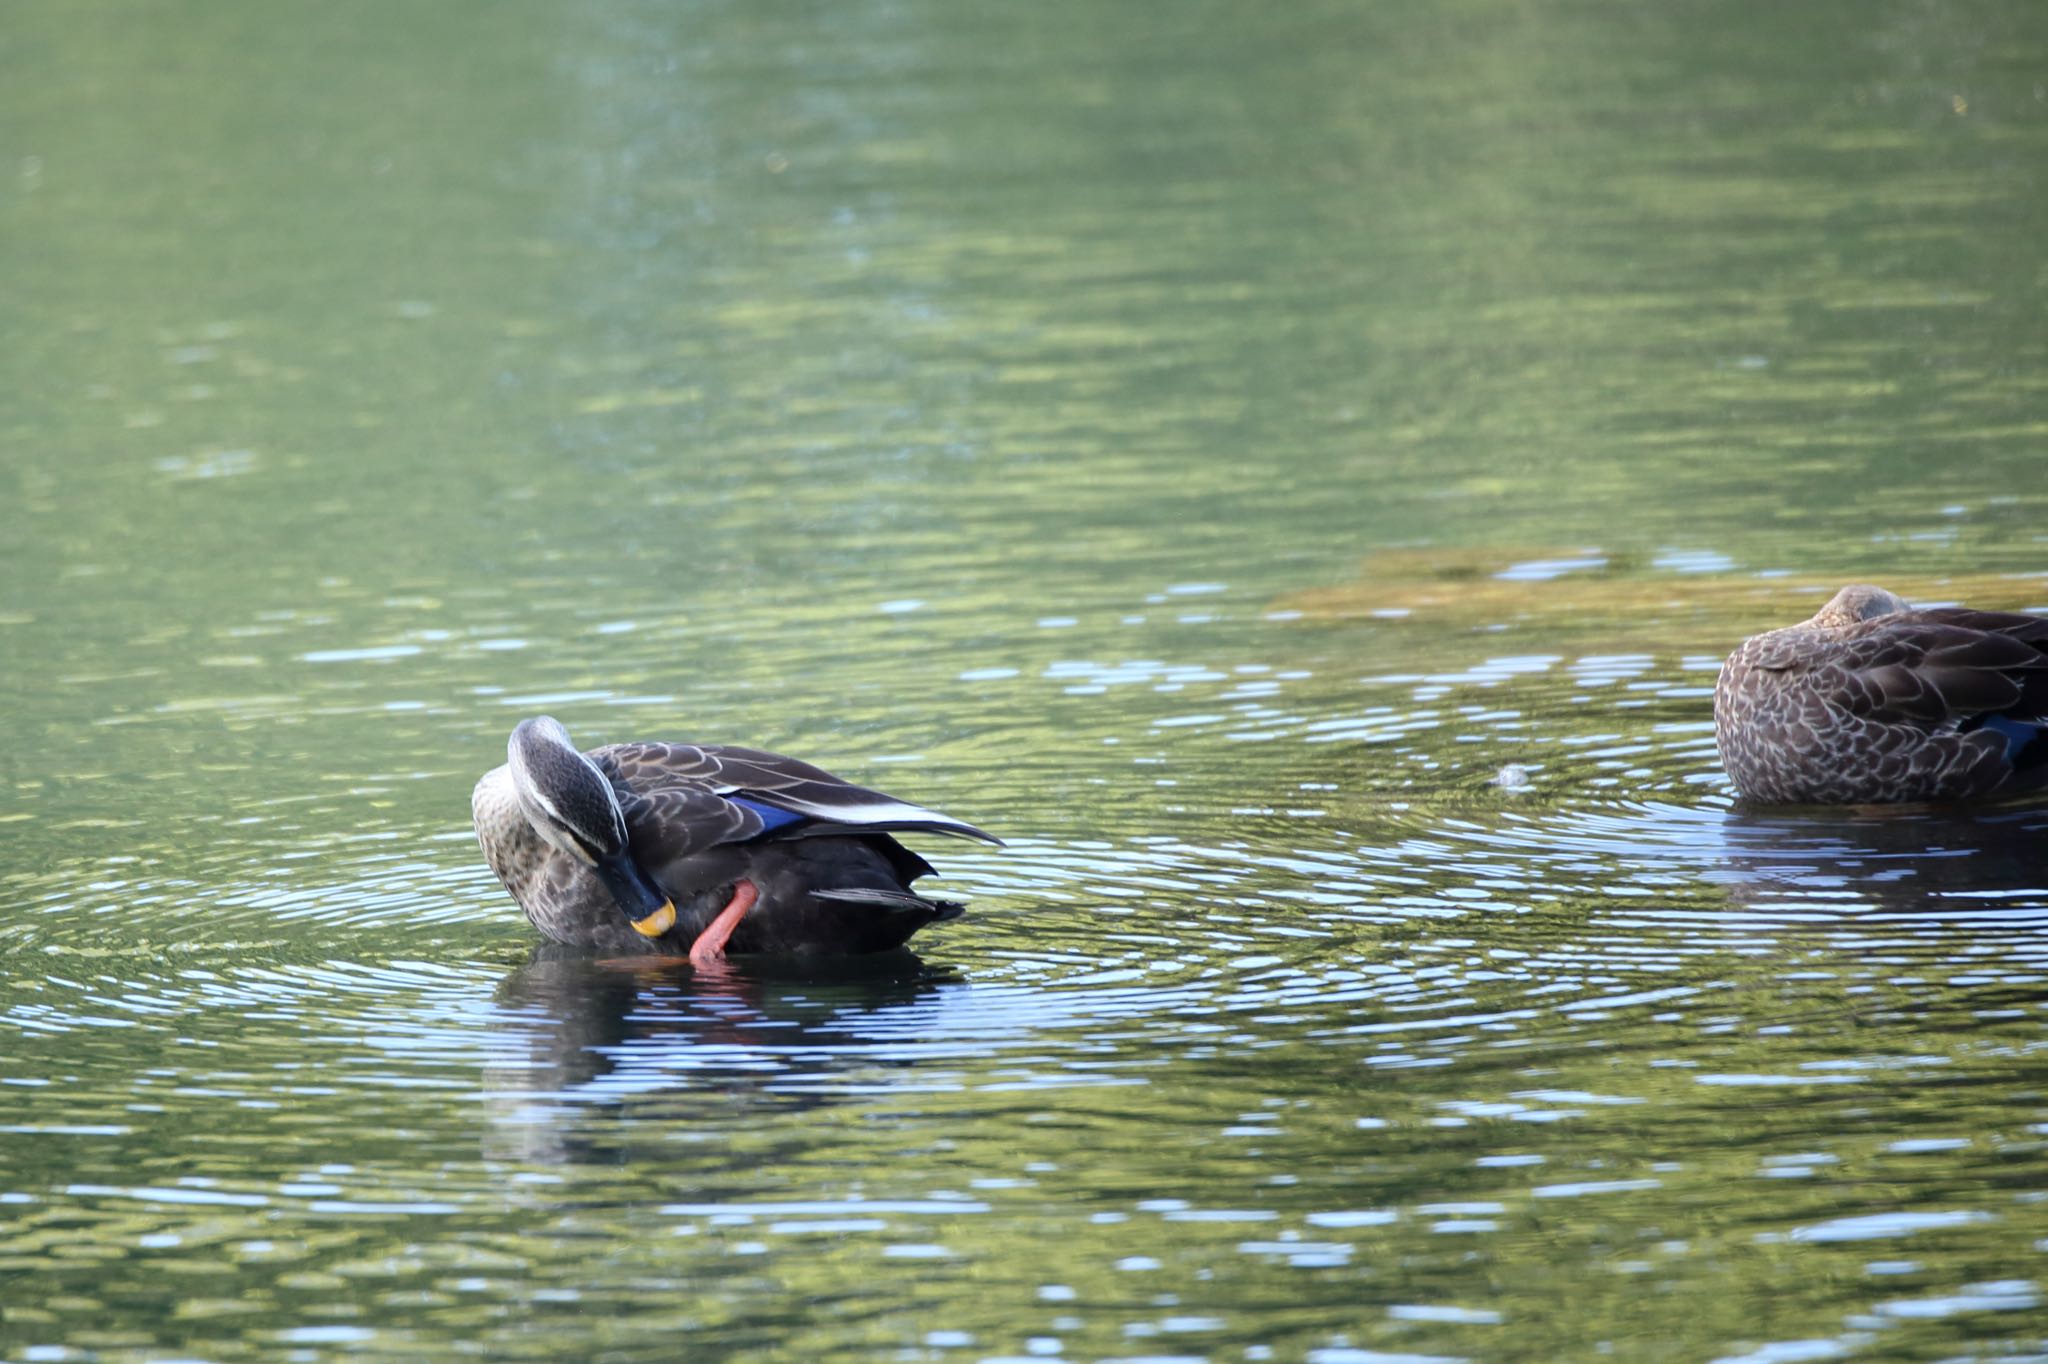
(767, 792)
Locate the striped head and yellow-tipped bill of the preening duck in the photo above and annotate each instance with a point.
(572, 806)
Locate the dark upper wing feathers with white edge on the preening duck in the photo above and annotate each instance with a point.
(773, 781)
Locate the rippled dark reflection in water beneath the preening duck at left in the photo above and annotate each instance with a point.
(603, 1060)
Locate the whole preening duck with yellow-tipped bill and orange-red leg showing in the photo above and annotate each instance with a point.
(701, 849)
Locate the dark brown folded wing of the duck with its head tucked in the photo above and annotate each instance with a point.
(1936, 671)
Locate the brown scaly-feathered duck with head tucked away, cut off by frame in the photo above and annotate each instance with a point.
(1873, 701)
